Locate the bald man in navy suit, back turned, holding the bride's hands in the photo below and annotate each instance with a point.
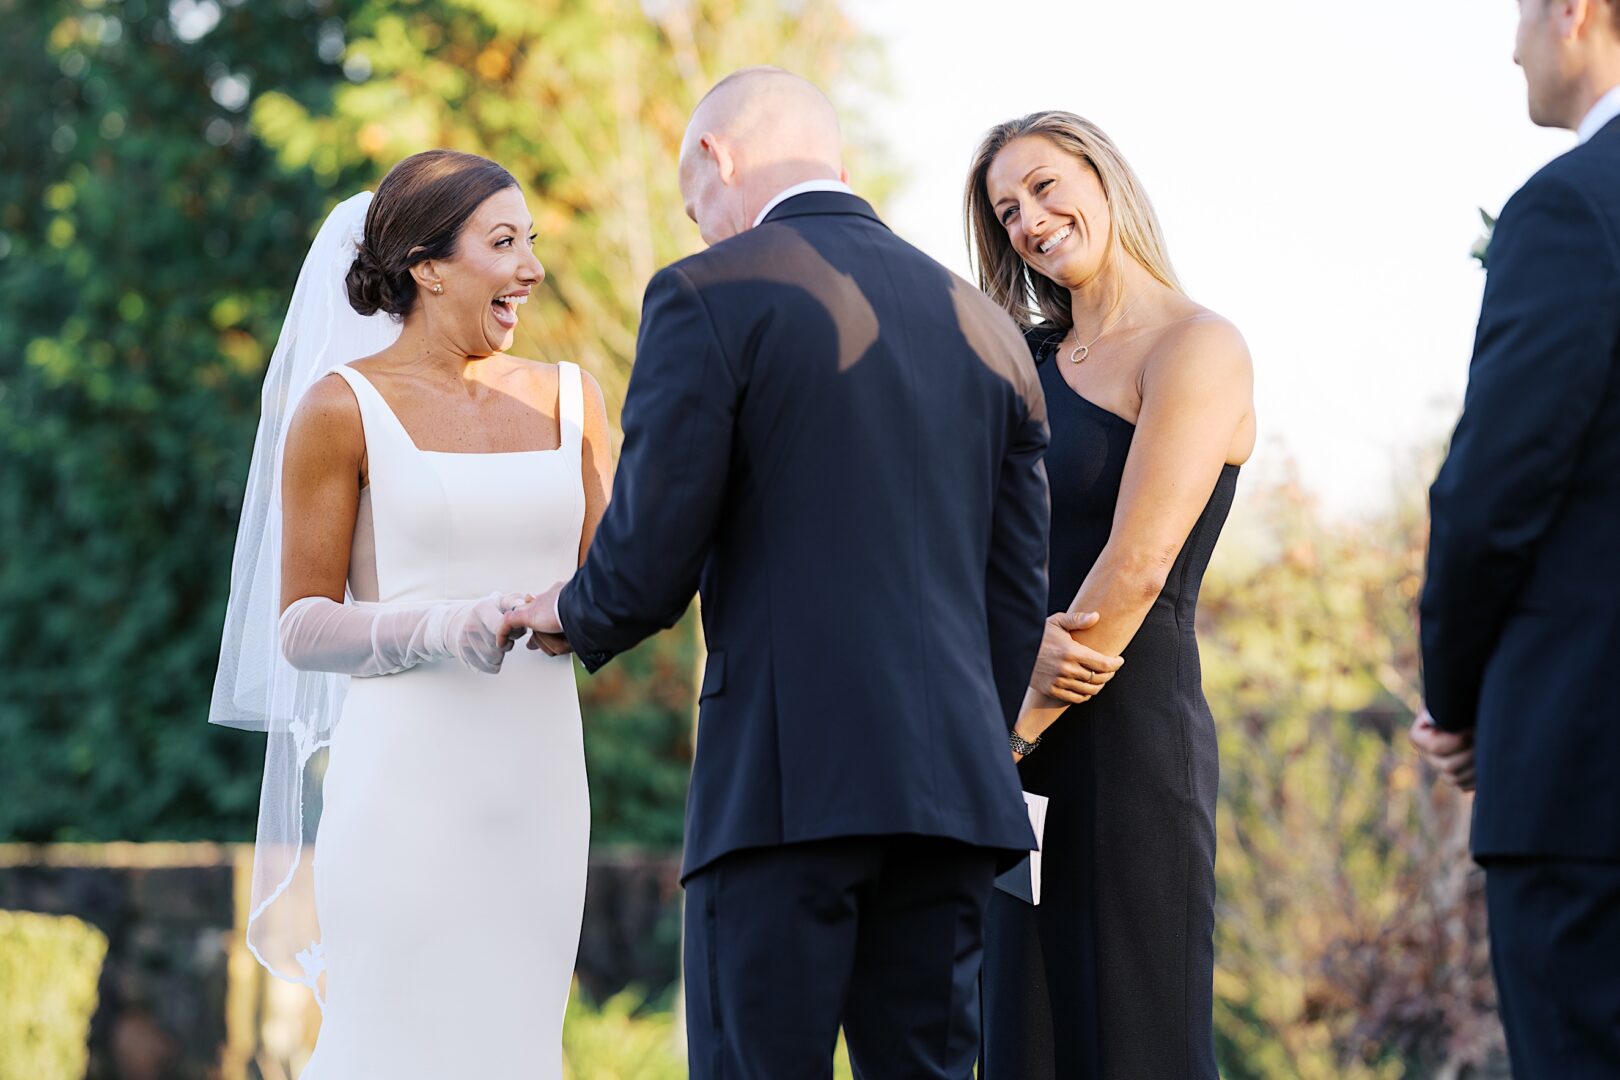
(842, 446)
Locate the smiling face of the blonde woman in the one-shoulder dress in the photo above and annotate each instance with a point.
(1054, 210)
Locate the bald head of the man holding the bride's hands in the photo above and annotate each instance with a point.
(759, 132)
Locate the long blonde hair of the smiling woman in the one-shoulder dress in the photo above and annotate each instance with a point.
(1031, 297)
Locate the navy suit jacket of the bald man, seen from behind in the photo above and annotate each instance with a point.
(842, 446)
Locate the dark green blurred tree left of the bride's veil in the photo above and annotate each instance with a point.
(147, 250)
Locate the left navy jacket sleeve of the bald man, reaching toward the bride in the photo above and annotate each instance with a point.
(680, 419)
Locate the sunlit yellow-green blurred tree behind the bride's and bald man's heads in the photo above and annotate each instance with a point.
(586, 103)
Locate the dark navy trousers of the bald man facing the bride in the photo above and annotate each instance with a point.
(880, 935)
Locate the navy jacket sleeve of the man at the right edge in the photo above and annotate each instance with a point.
(1543, 357)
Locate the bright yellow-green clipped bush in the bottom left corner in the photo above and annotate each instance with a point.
(49, 969)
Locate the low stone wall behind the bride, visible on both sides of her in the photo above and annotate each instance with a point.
(182, 998)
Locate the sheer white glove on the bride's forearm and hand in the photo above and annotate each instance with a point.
(362, 639)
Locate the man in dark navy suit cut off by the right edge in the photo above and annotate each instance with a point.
(1522, 608)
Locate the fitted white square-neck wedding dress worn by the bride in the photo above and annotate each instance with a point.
(450, 869)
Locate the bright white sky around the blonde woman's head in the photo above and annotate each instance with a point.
(1316, 169)
